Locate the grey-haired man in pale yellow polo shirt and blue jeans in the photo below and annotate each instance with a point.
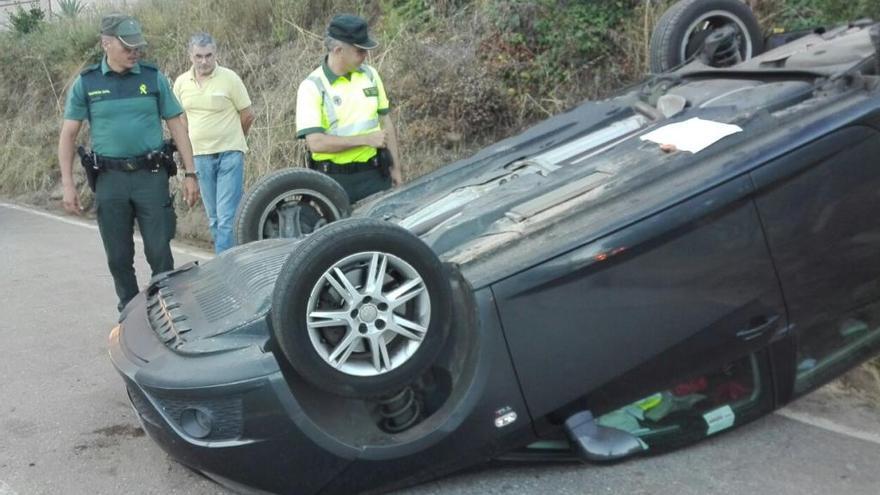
(219, 115)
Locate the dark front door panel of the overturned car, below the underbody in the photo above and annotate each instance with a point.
(674, 295)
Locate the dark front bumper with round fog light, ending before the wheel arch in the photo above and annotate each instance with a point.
(227, 414)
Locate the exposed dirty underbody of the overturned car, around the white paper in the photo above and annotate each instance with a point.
(497, 207)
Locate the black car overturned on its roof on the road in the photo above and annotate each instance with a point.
(629, 276)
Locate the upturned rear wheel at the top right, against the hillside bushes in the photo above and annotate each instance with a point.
(681, 31)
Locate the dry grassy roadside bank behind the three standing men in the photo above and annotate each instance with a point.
(446, 102)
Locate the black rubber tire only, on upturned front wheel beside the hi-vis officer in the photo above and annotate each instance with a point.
(250, 209)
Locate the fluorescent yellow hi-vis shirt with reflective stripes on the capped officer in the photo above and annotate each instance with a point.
(348, 105)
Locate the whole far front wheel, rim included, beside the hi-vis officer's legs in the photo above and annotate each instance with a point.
(291, 202)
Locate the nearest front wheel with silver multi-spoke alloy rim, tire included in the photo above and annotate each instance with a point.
(361, 308)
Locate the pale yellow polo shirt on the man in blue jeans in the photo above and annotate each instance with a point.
(212, 110)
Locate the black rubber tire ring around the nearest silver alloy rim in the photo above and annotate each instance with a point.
(317, 252)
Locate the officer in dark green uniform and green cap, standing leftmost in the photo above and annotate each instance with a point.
(125, 101)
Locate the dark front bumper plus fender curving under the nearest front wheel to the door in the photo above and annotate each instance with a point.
(245, 418)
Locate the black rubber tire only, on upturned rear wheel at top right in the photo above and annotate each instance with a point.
(670, 29)
